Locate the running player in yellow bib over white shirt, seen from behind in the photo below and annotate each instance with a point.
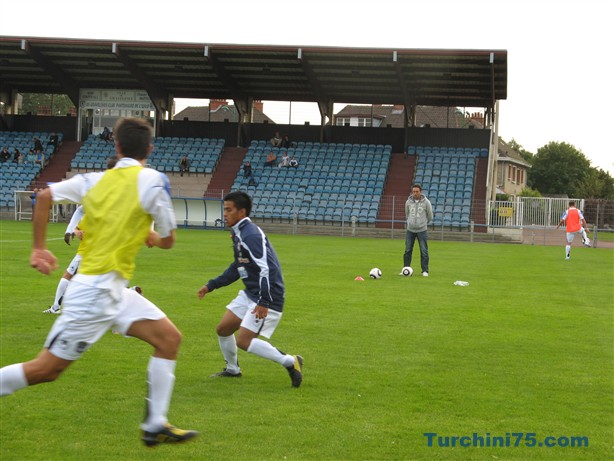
(119, 208)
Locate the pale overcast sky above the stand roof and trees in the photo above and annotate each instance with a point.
(558, 83)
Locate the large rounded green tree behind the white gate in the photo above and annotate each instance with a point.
(559, 168)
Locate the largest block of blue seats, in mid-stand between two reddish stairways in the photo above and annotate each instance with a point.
(333, 181)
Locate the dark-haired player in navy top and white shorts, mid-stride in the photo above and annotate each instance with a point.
(257, 309)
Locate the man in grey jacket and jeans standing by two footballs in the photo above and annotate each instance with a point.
(418, 213)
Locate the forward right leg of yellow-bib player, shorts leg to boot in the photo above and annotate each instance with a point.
(141, 319)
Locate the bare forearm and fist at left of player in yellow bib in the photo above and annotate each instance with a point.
(41, 258)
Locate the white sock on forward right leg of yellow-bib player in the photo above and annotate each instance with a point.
(160, 382)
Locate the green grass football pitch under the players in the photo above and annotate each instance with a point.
(527, 347)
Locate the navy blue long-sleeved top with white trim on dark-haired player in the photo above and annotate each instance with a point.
(256, 263)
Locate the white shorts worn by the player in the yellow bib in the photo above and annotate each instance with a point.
(89, 311)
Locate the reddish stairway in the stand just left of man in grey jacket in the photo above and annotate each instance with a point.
(399, 182)
